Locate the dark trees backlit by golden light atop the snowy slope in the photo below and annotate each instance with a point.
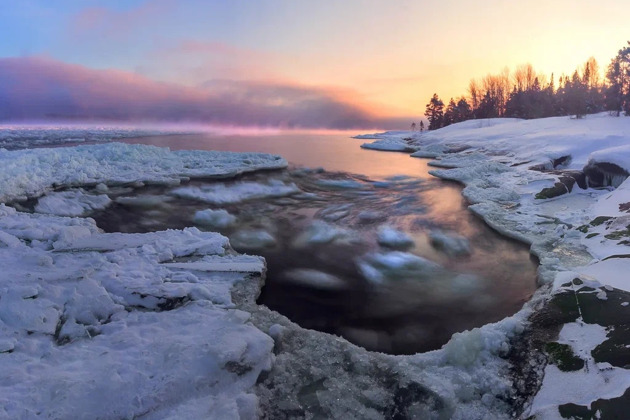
(527, 94)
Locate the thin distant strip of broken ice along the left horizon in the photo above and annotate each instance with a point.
(21, 136)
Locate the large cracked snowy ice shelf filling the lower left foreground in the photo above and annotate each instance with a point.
(123, 325)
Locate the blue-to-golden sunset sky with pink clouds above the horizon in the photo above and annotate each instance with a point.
(295, 63)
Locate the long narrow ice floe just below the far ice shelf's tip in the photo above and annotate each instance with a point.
(237, 192)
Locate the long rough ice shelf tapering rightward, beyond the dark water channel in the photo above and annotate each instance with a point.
(33, 172)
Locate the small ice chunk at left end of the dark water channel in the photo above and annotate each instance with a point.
(71, 203)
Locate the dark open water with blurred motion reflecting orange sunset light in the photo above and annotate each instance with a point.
(407, 307)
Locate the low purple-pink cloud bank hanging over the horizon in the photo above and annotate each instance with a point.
(46, 89)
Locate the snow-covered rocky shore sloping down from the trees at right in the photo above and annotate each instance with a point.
(551, 183)
